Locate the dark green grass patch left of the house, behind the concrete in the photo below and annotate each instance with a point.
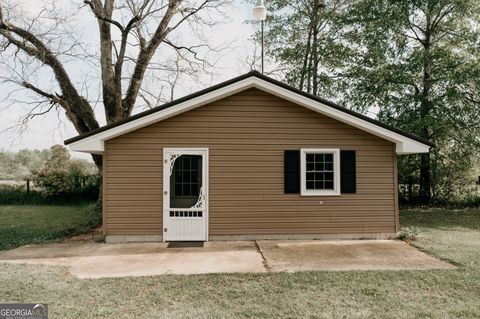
(25, 224)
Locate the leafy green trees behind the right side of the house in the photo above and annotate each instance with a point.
(414, 64)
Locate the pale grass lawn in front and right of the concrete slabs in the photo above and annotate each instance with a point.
(454, 235)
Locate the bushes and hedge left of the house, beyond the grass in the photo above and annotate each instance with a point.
(47, 177)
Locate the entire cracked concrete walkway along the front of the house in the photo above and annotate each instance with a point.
(86, 259)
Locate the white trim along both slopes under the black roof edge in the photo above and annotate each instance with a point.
(95, 143)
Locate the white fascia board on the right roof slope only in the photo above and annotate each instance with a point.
(404, 145)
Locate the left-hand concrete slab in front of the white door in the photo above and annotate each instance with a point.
(94, 260)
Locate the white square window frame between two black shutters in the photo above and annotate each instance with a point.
(336, 172)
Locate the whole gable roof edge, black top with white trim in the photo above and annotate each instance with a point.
(93, 141)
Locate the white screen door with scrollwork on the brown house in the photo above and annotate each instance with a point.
(185, 194)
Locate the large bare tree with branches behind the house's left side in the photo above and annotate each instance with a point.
(124, 58)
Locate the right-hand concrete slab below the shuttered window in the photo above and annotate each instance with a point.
(344, 255)
